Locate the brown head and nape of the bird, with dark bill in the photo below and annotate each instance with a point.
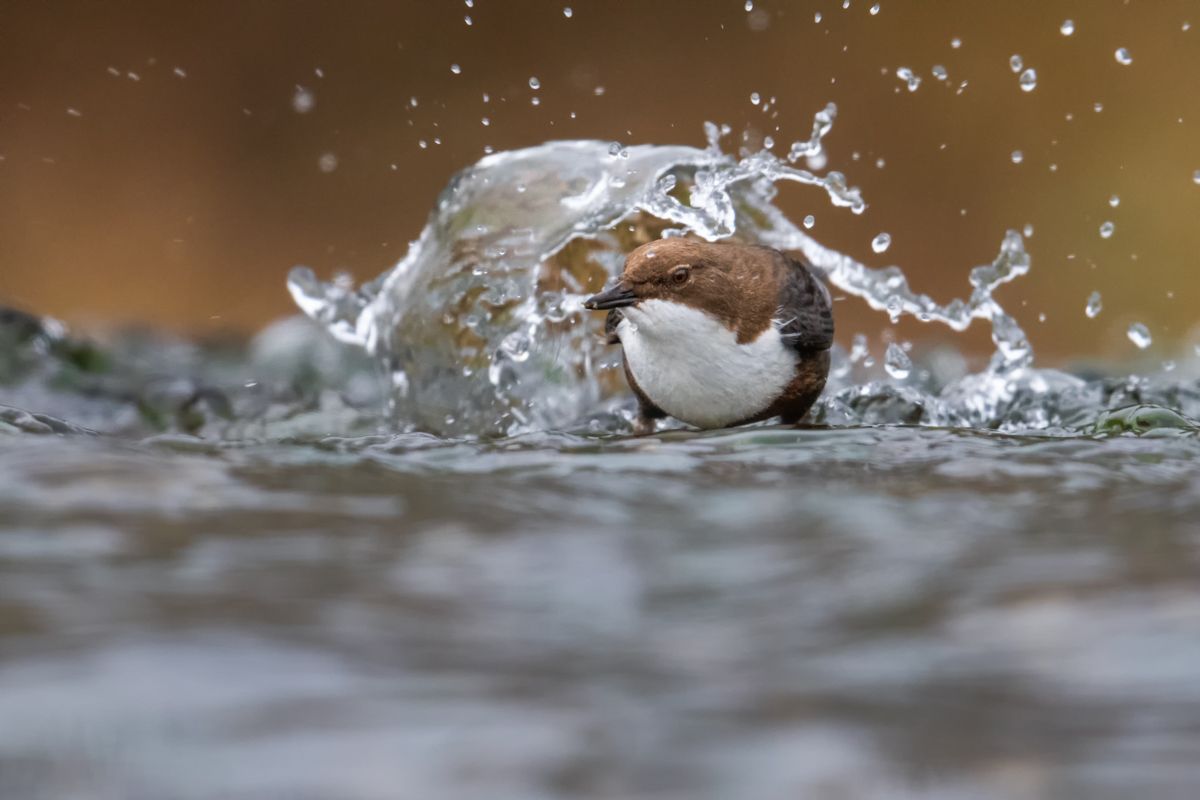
(735, 284)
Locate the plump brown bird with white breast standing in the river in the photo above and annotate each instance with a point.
(718, 335)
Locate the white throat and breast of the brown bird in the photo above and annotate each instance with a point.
(693, 368)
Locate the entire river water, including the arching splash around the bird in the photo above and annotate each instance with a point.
(431, 562)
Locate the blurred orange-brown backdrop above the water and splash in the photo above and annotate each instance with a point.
(166, 165)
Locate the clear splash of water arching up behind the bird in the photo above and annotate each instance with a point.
(481, 327)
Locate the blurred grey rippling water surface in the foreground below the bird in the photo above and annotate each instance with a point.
(757, 613)
